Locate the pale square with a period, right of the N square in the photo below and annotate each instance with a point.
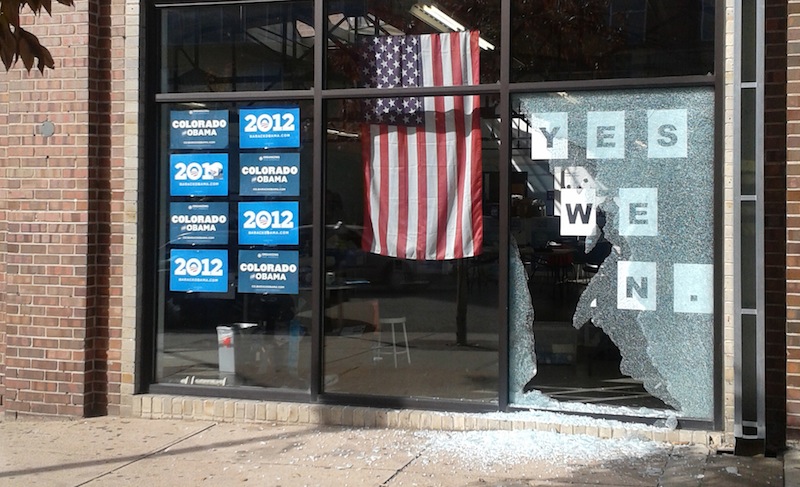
(693, 288)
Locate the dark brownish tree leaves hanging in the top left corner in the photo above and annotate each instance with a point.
(17, 43)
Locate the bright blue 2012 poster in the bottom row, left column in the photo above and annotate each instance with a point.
(198, 271)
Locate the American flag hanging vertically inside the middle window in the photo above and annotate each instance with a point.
(422, 156)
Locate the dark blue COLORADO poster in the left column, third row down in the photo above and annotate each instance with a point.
(198, 223)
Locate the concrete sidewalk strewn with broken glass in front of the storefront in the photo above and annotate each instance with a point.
(124, 451)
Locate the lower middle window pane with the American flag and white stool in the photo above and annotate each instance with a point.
(411, 251)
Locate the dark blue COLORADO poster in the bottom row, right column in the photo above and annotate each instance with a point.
(268, 271)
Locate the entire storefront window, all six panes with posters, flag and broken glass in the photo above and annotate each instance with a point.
(610, 197)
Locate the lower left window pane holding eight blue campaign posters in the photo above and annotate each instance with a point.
(234, 274)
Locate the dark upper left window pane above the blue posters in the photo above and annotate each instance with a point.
(242, 47)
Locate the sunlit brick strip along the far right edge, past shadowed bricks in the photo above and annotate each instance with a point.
(793, 221)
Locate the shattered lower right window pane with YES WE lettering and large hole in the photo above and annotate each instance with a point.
(612, 290)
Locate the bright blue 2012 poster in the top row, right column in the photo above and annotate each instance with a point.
(261, 128)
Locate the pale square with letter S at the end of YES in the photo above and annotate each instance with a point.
(667, 134)
